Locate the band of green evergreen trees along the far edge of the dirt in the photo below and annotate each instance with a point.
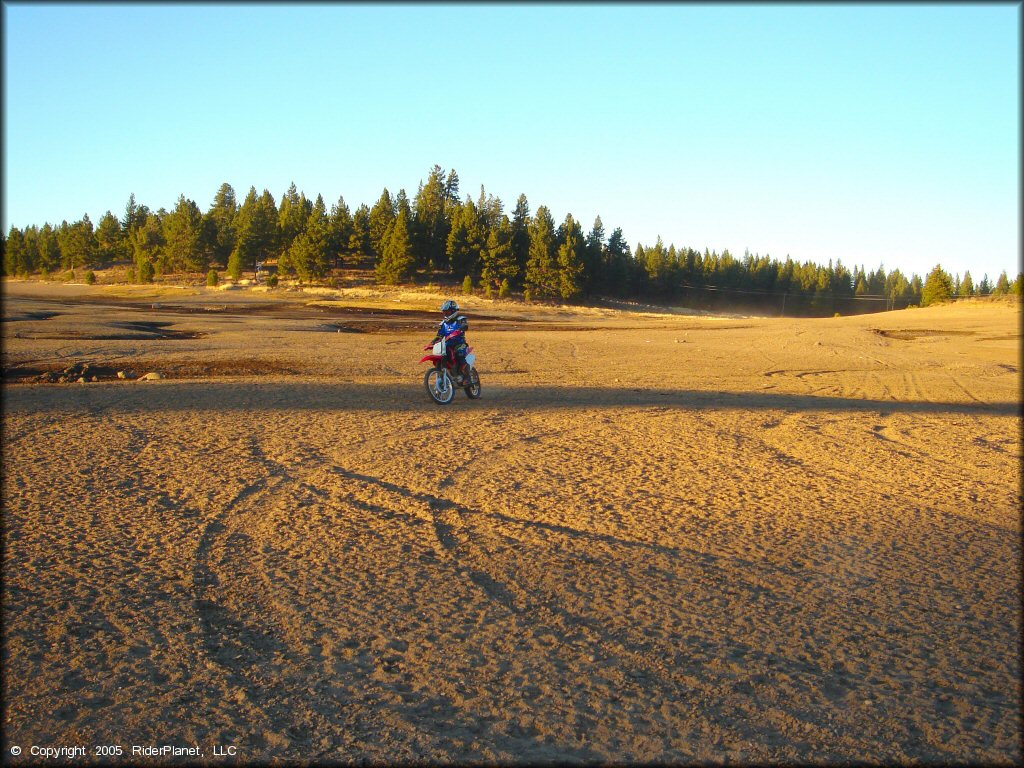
(439, 234)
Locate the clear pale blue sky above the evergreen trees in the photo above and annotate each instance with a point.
(886, 135)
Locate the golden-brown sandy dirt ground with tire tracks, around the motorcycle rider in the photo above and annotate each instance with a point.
(655, 538)
